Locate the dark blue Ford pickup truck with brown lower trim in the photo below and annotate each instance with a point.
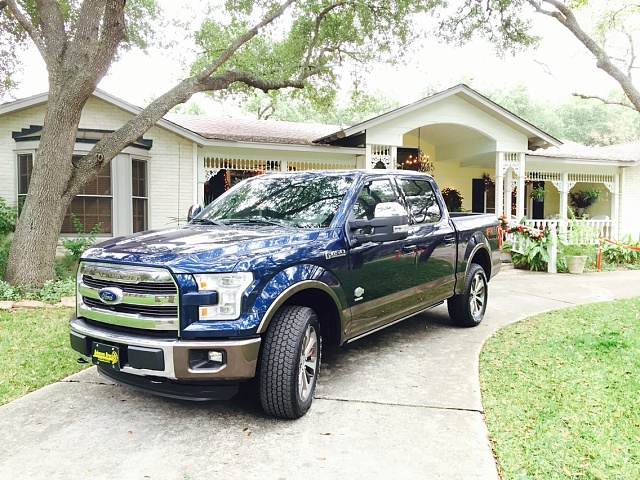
(276, 269)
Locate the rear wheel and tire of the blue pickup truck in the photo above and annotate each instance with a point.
(467, 309)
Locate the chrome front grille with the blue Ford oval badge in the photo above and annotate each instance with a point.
(128, 296)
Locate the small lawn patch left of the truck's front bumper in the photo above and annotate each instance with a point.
(34, 350)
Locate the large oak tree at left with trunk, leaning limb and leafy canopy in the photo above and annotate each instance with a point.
(245, 45)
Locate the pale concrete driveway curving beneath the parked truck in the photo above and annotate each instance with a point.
(402, 403)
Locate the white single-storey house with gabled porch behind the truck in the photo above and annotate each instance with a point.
(468, 143)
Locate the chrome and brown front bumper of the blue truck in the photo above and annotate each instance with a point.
(170, 358)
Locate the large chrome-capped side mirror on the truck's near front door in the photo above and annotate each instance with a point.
(390, 223)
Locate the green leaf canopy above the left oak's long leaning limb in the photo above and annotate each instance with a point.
(311, 39)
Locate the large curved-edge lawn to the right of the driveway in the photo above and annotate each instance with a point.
(561, 393)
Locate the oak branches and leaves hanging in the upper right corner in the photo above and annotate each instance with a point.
(613, 40)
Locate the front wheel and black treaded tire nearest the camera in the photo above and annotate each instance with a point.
(290, 362)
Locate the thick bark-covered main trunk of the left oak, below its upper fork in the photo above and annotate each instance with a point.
(32, 253)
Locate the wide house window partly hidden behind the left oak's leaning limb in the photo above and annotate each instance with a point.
(93, 205)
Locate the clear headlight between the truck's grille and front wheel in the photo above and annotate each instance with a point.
(230, 287)
